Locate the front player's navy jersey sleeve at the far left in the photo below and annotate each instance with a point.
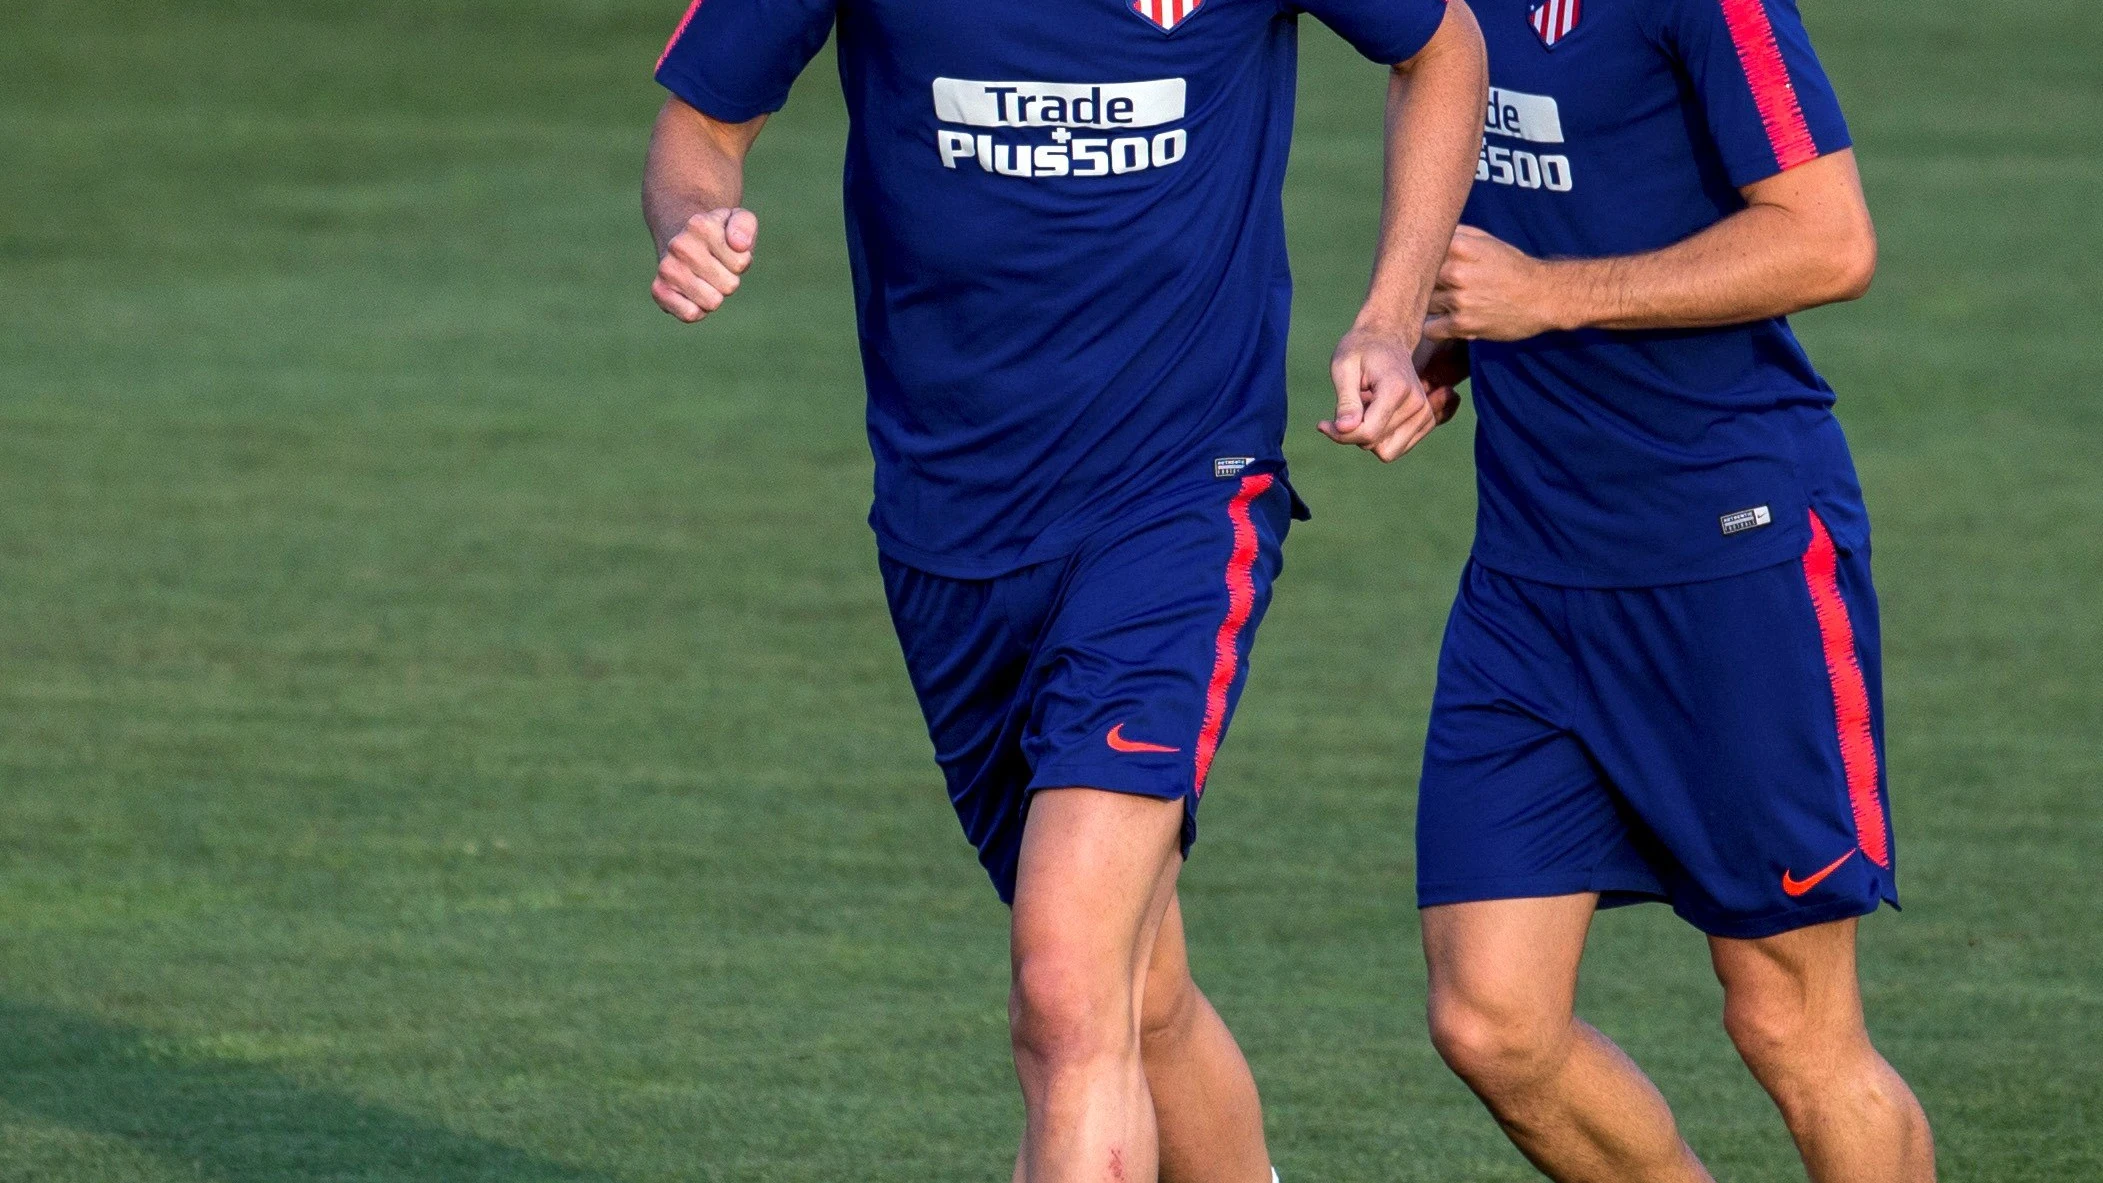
(735, 60)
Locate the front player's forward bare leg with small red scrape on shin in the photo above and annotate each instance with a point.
(1093, 888)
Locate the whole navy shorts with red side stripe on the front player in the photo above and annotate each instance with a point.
(1116, 667)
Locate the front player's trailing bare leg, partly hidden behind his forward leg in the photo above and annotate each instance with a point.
(1206, 1108)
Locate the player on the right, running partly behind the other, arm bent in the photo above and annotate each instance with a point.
(1660, 680)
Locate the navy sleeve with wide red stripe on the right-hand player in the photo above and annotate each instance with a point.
(1763, 94)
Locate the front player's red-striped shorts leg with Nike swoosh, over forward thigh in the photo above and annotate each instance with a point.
(1149, 646)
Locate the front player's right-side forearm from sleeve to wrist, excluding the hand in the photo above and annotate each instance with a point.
(1435, 131)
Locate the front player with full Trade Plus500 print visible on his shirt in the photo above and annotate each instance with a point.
(1069, 264)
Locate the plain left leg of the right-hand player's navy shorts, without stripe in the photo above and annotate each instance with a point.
(1511, 804)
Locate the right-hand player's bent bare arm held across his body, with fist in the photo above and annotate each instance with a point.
(1803, 241)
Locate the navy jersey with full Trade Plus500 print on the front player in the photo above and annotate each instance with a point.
(1067, 243)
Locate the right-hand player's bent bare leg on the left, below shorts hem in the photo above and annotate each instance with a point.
(1503, 1012)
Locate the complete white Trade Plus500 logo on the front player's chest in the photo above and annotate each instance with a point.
(1090, 129)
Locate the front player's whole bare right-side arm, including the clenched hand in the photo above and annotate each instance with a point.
(1435, 129)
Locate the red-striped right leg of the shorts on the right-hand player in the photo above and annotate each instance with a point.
(1738, 720)
